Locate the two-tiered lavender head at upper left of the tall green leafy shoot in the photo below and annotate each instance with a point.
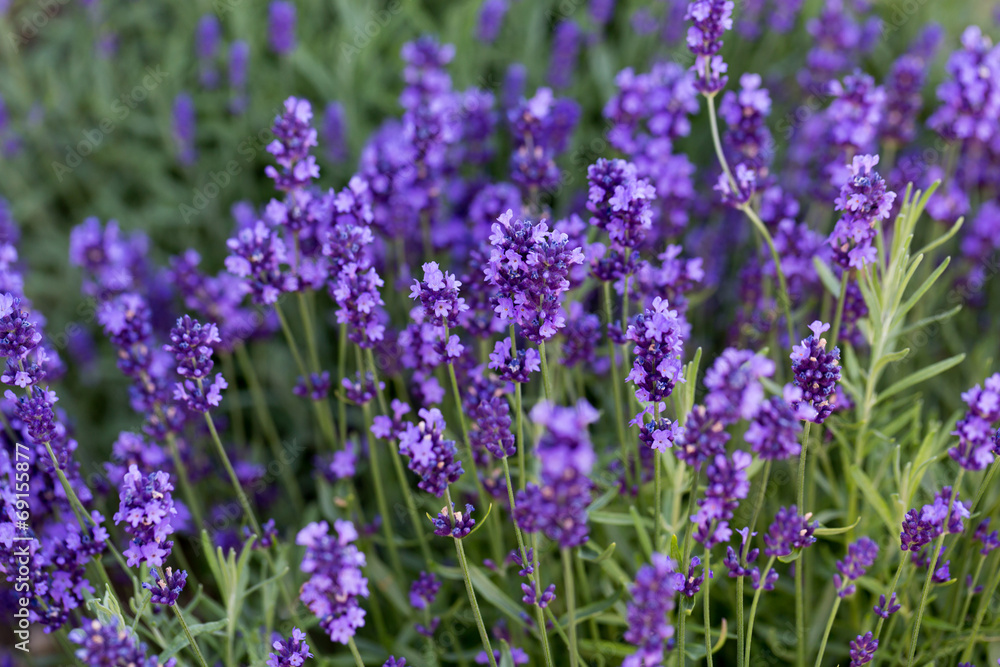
(864, 201)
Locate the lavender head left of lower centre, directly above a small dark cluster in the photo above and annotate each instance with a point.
(431, 456)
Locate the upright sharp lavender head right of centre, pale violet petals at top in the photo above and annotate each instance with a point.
(659, 347)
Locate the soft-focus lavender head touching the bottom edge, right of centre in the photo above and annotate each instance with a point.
(647, 613)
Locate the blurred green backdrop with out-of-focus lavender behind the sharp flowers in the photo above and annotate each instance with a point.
(156, 114)
